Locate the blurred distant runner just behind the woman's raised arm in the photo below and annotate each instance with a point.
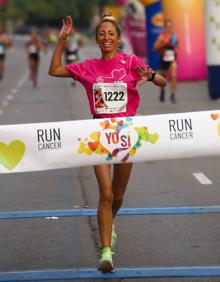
(73, 43)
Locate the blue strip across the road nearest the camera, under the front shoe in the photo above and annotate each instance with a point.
(120, 273)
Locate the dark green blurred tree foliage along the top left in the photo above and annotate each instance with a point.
(51, 12)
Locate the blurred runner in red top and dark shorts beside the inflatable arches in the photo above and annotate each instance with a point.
(166, 44)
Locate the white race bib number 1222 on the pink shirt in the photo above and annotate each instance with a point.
(110, 98)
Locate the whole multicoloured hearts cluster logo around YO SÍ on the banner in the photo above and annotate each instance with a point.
(118, 139)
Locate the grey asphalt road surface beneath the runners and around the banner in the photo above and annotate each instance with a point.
(175, 240)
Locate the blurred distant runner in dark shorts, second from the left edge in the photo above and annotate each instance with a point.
(33, 48)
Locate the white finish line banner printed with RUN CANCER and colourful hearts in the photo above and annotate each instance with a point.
(56, 145)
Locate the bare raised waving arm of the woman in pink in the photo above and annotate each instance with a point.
(57, 68)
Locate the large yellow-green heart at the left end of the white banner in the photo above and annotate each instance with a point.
(10, 155)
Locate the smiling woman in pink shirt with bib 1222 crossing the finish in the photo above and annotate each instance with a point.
(110, 84)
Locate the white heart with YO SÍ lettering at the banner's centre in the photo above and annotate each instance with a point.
(122, 141)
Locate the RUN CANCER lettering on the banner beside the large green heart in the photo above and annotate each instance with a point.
(49, 139)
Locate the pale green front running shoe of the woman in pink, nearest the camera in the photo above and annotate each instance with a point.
(105, 262)
